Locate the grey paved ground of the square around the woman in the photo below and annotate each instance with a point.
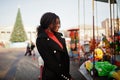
(15, 66)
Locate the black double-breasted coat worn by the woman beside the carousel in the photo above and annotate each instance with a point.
(56, 59)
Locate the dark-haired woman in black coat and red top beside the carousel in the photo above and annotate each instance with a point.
(52, 48)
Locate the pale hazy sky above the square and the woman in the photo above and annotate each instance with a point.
(67, 10)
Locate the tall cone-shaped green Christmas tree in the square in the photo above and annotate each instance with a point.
(18, 33)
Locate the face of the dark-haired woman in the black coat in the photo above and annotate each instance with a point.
(54, 27)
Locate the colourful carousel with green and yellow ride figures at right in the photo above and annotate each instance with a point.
(104, 59)
